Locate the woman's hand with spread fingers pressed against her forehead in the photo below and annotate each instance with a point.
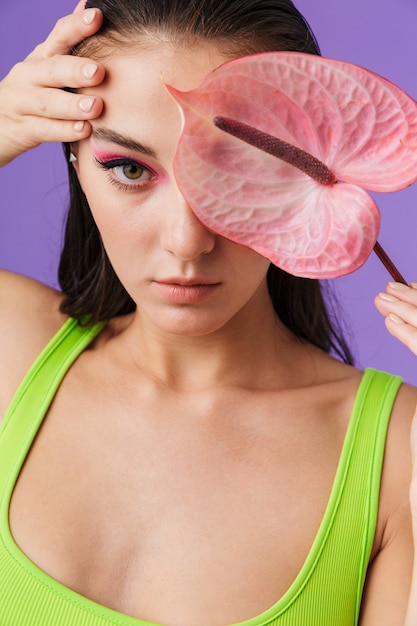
(37, 99)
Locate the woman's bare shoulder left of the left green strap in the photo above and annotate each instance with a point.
(29, 317)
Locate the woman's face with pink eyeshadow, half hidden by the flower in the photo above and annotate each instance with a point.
(184, 278)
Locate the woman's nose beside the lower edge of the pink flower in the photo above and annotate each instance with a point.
(182, 233)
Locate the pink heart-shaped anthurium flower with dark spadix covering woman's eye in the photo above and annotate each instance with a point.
(338, 131)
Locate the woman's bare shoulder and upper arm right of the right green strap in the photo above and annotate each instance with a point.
(389, 574)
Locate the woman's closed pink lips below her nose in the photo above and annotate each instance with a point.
(185, 291)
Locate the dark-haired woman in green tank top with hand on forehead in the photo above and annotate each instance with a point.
(185, 450)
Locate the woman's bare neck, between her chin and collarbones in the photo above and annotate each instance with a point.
(245, 352)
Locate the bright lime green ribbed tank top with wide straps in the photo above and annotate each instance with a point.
(327, 590)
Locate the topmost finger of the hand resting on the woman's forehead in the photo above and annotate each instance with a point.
(68, 32)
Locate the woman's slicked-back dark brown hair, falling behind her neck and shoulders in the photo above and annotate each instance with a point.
(91, 288)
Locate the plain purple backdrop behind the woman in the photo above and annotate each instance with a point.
(381, 36)
